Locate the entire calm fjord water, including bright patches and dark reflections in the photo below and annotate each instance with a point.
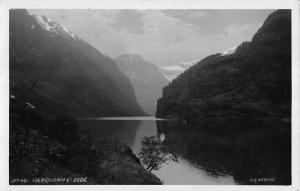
(208, 152)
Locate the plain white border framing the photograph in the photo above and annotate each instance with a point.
(5, 5)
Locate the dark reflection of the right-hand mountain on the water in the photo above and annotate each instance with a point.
(243, 149)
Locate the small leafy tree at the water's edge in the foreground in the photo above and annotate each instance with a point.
(154, 153)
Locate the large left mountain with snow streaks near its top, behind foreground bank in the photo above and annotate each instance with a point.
(56, 70)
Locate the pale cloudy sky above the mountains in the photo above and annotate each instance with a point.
(162, 37)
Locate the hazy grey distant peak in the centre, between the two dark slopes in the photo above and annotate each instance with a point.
(145, 78)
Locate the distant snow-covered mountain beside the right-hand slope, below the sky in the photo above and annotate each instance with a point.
(171, 72)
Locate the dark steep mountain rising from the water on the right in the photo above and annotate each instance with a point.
(251, 82)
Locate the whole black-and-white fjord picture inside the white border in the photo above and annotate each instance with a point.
(139, 96)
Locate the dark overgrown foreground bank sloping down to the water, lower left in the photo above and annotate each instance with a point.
(48, 149)
